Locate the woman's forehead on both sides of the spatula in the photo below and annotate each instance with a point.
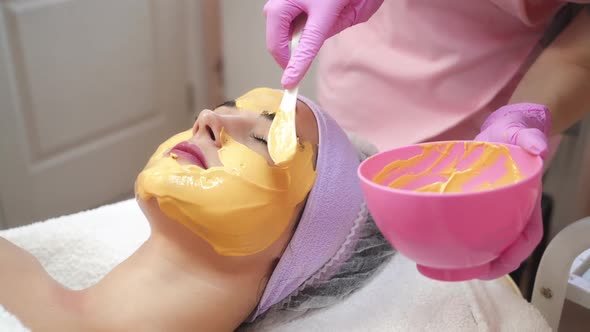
(268, 100)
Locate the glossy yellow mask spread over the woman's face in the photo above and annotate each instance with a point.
(240, 208)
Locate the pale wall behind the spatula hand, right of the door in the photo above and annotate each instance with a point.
(247, 63)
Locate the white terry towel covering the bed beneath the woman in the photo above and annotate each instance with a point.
(79, 249)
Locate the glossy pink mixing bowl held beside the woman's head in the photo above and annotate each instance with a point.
(452, 236)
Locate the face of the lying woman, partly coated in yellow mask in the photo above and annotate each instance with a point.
(218, 179)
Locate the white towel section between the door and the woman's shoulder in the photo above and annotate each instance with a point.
(79, 249)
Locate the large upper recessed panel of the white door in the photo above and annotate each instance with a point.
(64, 78)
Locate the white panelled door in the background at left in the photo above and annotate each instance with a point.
(88, 89)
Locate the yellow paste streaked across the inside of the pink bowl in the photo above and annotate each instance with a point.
(452, 167)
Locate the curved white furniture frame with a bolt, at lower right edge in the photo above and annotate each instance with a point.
(551, 282)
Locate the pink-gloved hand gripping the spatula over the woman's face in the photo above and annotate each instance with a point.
(325, 18)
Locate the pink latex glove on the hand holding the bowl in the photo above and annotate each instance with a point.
(528, 126)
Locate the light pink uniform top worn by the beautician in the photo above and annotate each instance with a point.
(430, 69)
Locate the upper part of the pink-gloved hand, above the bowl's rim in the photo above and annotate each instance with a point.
(525, 125)
